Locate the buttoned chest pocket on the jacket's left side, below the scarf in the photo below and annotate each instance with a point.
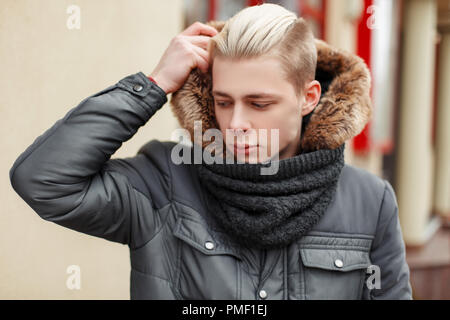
(208, 266)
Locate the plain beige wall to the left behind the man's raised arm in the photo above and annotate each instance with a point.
(46, 69)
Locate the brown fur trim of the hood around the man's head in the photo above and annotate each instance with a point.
(344, 108)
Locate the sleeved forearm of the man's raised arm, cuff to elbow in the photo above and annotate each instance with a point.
(60, 161)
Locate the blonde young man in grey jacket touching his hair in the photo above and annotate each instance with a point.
(315, 229)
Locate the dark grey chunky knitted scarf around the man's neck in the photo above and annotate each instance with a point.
(271, 211)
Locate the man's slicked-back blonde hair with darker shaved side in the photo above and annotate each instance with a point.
(269, 29)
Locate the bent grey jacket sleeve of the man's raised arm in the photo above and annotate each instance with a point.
(67, 177)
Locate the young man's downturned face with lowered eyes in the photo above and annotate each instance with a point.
(252, 94)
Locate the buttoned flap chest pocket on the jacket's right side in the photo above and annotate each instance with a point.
(334, 267)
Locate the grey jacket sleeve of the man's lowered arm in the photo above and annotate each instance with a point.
(388, 253)
